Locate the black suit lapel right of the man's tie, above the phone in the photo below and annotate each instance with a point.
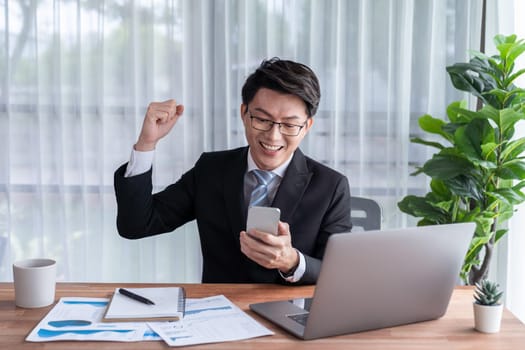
(292, 187)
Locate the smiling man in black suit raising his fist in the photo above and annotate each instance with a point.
(279, 101)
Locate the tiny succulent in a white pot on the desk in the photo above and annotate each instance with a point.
(488, 308)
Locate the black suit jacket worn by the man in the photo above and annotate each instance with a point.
(314, 200)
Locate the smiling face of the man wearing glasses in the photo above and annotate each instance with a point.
(270, 149)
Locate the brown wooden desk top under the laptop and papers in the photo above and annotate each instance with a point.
(453, 331)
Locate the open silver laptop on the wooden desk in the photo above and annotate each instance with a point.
(377, 279)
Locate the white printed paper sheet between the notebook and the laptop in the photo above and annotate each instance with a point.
(209, 320)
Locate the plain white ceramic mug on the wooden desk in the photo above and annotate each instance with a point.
(34, 281)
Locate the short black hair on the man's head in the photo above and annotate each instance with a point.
(287, 77)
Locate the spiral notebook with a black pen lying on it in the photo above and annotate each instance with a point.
(169, 305)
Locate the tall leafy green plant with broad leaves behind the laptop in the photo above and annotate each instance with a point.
(478, 172)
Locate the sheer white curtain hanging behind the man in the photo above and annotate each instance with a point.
(77, 76)
